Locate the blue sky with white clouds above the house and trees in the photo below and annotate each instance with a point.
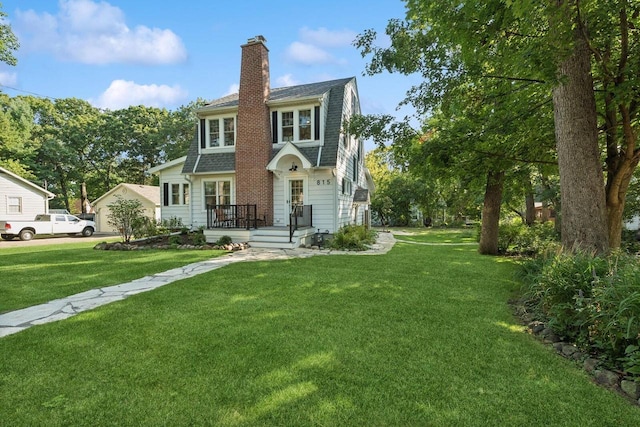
(116, 53)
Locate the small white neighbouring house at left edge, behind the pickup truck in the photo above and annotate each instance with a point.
(21, 199)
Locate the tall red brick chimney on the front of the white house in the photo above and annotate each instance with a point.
(254, 183)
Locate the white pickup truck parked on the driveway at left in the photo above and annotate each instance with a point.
(46, 224)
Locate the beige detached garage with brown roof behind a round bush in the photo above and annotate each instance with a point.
(148, 195)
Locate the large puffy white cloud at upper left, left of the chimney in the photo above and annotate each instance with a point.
(93, 32)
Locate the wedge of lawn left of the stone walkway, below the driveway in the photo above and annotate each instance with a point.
(37, 274)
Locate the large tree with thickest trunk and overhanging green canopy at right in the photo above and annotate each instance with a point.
(543, 43)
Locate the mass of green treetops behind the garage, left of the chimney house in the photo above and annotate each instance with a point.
(63, 143)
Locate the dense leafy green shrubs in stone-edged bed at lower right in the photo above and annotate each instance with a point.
(591, 300)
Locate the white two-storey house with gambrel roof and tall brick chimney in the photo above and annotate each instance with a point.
(271, 166)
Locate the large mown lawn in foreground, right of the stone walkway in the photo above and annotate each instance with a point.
(419, 336)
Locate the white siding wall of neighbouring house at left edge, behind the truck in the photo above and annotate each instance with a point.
(33, 202)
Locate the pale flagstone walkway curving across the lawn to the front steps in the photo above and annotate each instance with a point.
(16, 321)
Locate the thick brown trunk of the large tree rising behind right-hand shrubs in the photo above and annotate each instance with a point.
(584, 215)
